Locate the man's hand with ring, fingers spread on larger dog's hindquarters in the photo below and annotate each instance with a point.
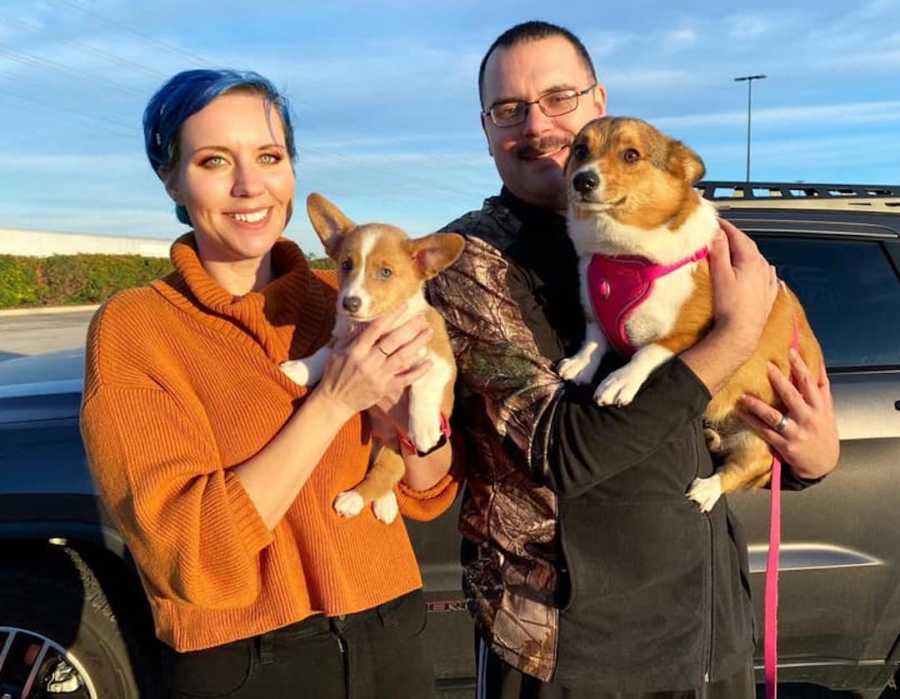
(808, 438)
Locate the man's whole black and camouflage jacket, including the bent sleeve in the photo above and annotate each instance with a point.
(584, 559)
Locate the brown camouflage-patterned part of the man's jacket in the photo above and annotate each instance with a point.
(505, 390)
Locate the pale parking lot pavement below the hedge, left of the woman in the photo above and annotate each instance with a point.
(33, 333)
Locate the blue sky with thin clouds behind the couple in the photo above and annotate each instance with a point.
(385, 101)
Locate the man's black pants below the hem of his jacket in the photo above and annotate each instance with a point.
(496, 679)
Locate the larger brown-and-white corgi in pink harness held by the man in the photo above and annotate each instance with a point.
(642, 233)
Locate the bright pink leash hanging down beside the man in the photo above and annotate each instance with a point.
(770, 598)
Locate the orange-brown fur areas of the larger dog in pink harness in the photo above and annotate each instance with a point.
(652, 188)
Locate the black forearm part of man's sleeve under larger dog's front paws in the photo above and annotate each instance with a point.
(587, 444)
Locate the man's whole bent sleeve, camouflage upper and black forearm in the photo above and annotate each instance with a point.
(555, 430)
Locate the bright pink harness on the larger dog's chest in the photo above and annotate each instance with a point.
(618, 285)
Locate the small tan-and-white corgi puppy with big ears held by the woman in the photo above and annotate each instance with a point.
(380, 269)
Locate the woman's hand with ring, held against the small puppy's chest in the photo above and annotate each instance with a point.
(376, 363)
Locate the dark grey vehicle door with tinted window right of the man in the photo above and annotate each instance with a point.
(839, 613)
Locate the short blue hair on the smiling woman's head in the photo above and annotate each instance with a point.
(186, 94)
